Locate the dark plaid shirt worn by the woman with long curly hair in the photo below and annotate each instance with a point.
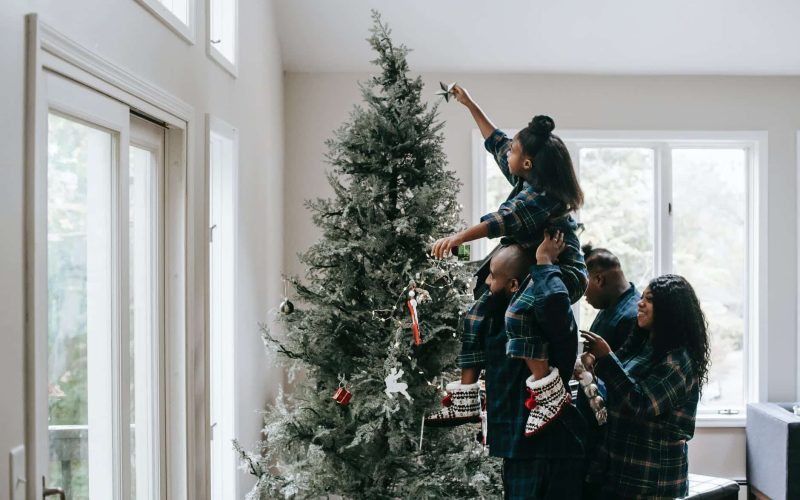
(652, 404)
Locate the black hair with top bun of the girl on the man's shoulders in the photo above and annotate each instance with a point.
(554, 172)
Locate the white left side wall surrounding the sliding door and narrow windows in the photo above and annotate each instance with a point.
(123, 32)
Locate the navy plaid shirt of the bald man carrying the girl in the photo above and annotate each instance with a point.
(505, 376)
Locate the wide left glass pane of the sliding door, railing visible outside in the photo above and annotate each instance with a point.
(79, 306)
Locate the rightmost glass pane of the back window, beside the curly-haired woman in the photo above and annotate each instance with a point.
(710, 250)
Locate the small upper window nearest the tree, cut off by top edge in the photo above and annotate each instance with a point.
(223, 26)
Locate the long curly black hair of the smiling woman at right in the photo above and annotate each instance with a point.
(679, 322)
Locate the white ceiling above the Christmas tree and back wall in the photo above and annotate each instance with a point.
(742, 37)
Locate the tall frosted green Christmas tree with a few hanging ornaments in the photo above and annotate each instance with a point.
(353, 334)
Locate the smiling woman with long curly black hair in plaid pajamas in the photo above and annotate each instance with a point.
(653, 383)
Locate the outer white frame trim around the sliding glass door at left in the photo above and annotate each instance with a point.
(185, 246)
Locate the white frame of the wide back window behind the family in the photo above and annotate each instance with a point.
(662, 142)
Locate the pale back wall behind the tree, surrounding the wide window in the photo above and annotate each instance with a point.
(318, 103)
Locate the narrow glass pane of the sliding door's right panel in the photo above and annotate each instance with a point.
(143, 322)
